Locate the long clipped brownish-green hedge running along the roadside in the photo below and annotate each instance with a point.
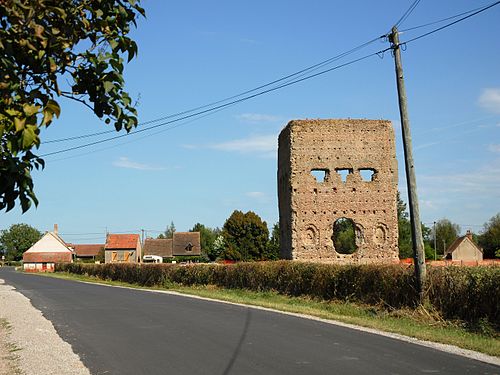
(470, 294)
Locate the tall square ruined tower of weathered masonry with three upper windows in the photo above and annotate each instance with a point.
(309, 208)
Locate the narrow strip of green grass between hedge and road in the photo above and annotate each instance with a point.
(417, 323)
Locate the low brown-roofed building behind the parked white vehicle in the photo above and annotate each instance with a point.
(182, 244)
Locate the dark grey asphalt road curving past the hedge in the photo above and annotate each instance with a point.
(123, 331)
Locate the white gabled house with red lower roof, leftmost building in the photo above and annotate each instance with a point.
(50, 249)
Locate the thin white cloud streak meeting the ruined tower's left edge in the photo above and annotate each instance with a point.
(264, 145)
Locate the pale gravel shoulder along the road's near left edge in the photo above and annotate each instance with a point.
(39, 349)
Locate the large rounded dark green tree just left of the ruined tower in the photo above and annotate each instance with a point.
(245, 236)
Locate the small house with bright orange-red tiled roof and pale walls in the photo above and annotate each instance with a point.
(122, 248)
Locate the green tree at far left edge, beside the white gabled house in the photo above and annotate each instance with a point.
(17, 239)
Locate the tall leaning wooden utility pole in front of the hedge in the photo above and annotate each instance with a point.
(411, 181)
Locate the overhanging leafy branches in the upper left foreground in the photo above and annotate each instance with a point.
(58, 49)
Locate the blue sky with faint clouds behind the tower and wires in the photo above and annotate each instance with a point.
(194, 52)
